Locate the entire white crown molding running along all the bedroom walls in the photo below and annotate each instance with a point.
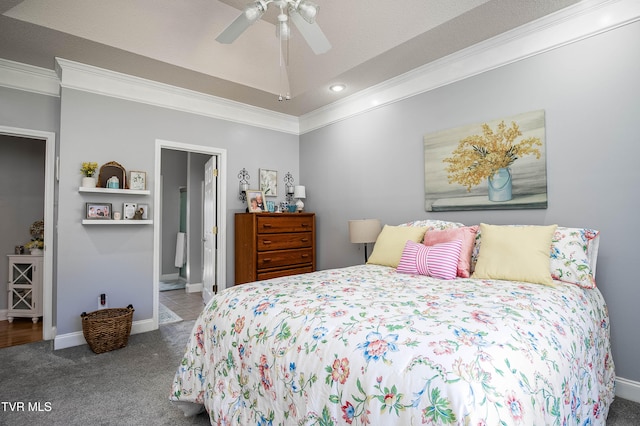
(583, 20)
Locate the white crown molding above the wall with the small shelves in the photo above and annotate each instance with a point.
(74, 75)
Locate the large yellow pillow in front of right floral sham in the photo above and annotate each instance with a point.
(516, 253)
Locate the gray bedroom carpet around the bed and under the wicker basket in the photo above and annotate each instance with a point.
(129, 386)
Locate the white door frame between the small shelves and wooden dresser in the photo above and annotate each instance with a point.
(221, 209)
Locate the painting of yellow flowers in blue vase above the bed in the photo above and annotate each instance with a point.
(498, 164)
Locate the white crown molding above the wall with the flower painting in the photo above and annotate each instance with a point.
(575, 23)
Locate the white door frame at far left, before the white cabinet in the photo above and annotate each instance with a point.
(50, 173)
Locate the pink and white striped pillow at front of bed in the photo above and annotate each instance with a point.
(438, 261)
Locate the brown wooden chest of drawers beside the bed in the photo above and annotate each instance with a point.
(270, 245)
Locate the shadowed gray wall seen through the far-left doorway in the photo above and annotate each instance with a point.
(21, 196)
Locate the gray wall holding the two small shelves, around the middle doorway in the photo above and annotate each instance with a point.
(119, 260)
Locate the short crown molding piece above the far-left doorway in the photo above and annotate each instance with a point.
(16, 75)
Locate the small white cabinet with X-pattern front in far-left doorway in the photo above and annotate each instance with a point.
(25, 287)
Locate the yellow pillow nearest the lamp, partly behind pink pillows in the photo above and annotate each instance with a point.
(390, 243)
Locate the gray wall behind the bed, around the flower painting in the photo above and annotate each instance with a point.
(371, 166)
